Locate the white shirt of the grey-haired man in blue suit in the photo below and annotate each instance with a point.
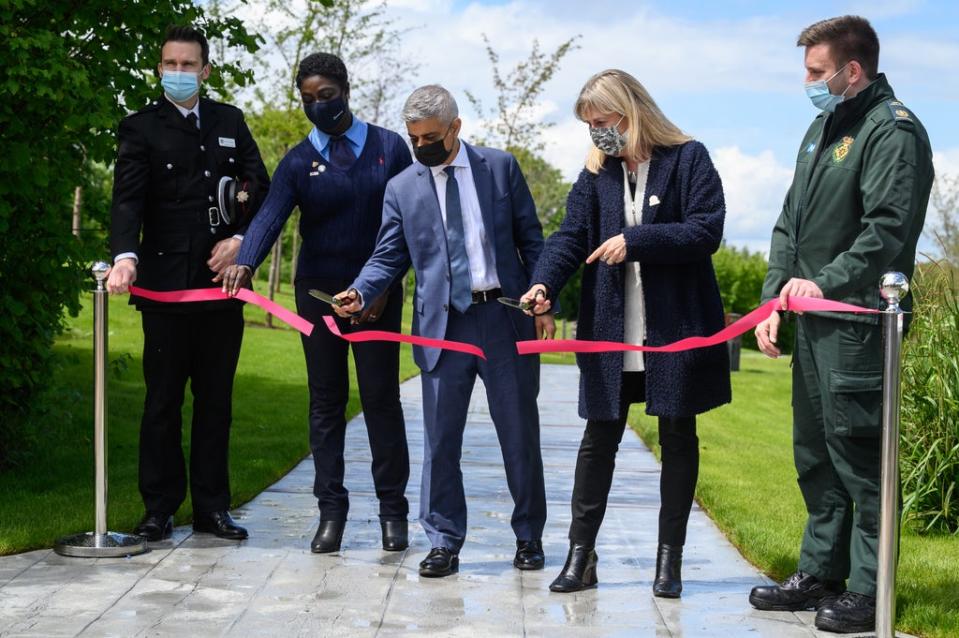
(479, 250)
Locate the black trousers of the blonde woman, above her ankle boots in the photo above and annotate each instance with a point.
(597, 459)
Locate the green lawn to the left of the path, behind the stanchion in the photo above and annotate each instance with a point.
(51, 494)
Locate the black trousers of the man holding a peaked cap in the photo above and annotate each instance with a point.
(203, 347)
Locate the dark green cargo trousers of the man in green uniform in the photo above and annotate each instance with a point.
(837, 419)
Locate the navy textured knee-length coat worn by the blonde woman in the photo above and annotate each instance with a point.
(683, 213)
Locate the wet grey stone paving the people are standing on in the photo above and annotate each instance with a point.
(271, 585)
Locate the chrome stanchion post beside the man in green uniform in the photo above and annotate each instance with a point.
(893, 287)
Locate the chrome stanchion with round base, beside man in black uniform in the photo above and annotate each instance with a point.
(100, 543)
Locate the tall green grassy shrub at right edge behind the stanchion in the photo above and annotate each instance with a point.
(929, 454)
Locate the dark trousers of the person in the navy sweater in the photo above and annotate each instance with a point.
(377, 374)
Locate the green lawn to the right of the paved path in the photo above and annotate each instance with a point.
(747, 483)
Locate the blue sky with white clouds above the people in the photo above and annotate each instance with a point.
(726, 72)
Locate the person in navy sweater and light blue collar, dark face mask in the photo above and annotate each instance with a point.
(337, 177)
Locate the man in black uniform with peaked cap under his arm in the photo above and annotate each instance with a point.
(188, 176)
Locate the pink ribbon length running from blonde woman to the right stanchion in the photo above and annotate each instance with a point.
(746, 323)
